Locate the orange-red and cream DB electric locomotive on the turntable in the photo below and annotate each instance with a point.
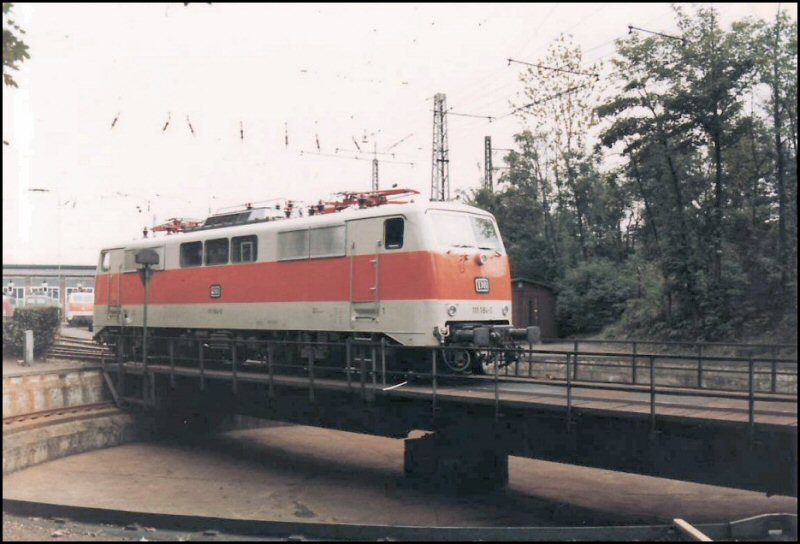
(420, 274)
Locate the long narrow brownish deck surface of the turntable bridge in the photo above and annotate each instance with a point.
(776, 410)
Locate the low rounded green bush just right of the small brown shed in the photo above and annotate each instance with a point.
(591, 296)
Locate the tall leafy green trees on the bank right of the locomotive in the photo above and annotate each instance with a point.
(689, 190)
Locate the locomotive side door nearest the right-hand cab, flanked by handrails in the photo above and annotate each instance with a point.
(364, 241)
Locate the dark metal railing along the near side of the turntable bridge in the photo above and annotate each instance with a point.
(360, 366)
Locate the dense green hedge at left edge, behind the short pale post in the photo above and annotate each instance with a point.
(44, 322)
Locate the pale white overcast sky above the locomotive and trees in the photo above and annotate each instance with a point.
(248, 76)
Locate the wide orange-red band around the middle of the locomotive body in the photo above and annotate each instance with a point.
(404, 276)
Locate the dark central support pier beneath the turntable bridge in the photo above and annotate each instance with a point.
(455, 462)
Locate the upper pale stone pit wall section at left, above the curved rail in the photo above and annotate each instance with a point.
(34, 392)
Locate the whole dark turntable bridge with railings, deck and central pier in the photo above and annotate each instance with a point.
(459, 429)
